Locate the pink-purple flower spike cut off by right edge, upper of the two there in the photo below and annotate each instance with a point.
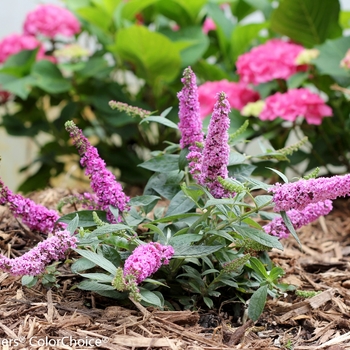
(298, 195)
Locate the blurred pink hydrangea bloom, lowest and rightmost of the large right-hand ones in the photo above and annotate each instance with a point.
(295, 103)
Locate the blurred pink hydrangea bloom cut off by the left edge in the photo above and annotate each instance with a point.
(15, 43)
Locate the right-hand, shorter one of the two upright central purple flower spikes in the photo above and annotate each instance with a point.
(216, 150)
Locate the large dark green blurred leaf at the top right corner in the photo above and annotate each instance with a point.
(306, 21)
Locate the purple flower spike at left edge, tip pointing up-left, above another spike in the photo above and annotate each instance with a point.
(35, 216)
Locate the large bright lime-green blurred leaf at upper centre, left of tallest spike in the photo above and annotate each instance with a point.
(155, 57)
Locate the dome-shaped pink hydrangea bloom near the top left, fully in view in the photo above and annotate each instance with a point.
(50, 21)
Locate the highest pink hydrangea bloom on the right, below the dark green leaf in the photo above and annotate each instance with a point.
(273, 60)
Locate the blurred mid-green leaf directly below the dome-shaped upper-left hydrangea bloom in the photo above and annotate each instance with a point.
(49, 78)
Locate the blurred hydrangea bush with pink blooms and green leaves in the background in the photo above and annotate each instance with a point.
(135, 51)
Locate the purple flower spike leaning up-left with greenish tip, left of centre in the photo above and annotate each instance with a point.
(102, 181)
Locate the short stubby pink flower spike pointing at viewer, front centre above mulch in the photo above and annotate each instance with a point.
(145, 260)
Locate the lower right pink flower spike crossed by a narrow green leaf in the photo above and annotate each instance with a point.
(298, 218)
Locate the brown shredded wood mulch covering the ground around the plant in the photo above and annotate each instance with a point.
(68, 318)
